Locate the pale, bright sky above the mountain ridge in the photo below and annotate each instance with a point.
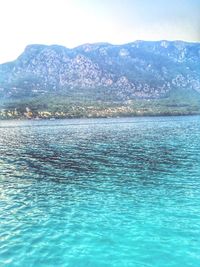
(74, 22)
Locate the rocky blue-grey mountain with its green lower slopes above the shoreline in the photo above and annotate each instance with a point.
(102, 74)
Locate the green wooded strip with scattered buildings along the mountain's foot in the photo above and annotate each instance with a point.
(179, 102)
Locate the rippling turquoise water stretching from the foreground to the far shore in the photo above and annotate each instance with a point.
(106, 192)
